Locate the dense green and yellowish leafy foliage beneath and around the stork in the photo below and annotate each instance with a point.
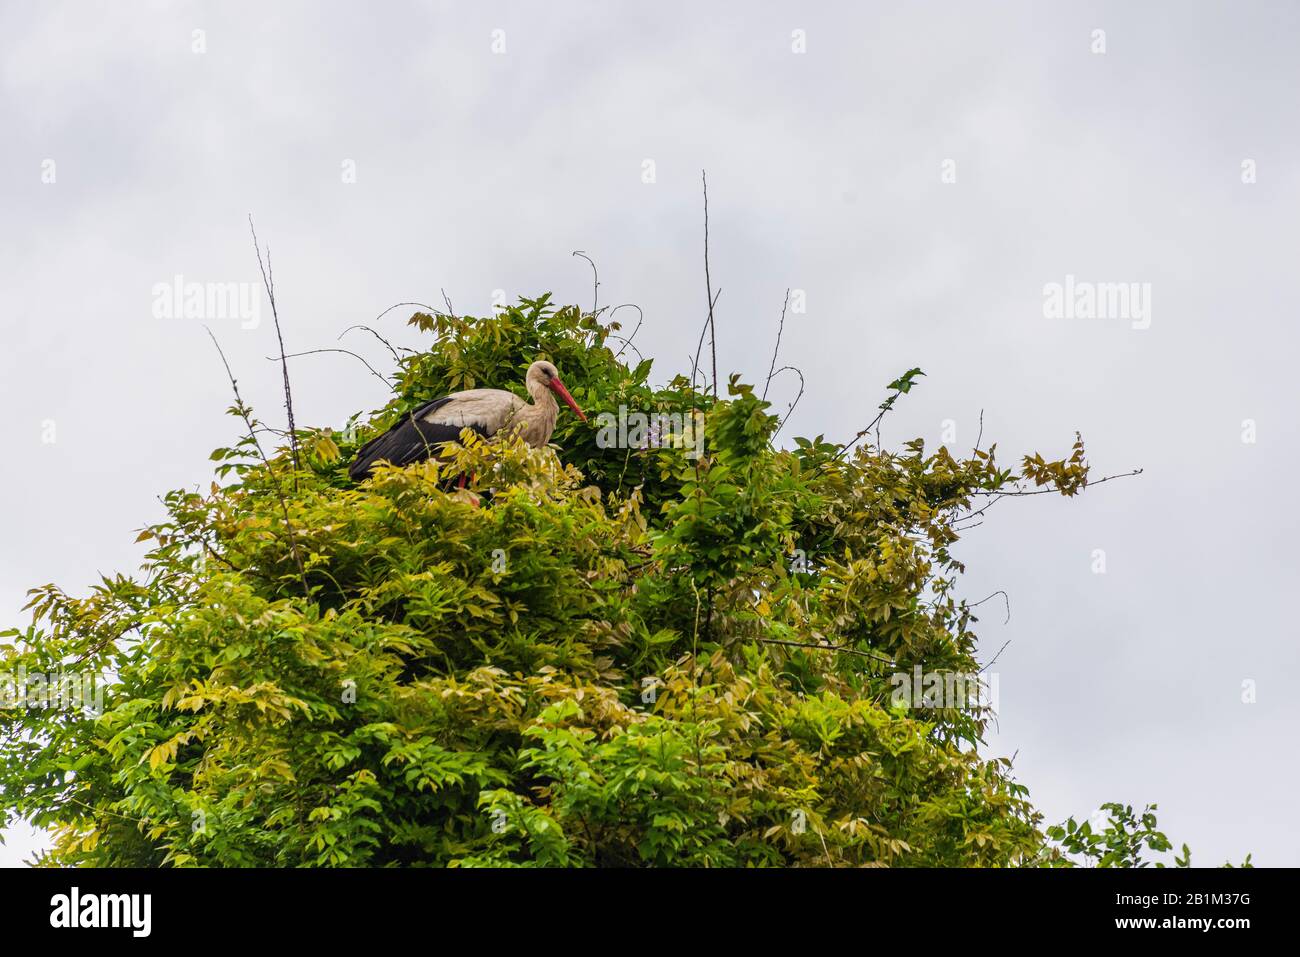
(592, 656)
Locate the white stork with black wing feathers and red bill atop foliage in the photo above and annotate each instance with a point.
(488, 412)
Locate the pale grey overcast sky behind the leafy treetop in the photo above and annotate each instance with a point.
(480, 171)
